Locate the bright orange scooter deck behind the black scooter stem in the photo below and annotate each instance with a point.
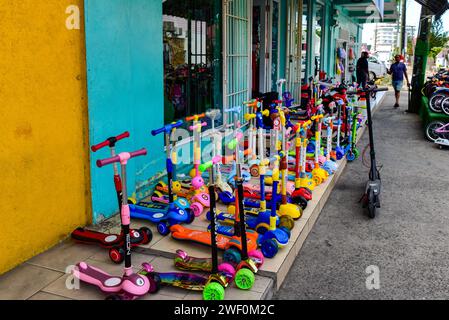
(203, 237)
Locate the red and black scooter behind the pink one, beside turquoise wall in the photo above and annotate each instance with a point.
(112, 241)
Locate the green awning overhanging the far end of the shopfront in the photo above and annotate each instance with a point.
(370, 11)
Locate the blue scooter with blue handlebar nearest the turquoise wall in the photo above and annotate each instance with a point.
(161, 214)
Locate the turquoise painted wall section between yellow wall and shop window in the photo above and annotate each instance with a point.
(125, 89)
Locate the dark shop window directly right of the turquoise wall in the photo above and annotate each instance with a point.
(192, 57)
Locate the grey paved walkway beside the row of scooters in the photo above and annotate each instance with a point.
(408, 241)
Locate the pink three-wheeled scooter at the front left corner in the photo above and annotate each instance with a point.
(131, 285)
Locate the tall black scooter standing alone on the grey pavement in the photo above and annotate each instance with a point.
(371, 198)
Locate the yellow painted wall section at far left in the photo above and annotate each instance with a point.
(44, 168)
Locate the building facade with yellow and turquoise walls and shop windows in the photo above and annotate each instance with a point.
(80, 71)
